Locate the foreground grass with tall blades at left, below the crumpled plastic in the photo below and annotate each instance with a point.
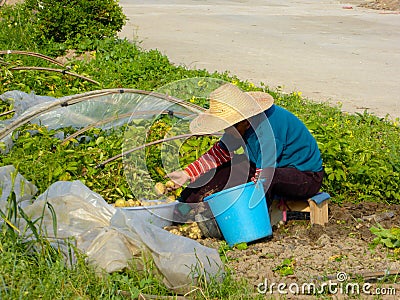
(32, 268)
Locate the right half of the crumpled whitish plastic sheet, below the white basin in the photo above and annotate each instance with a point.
(182, 261)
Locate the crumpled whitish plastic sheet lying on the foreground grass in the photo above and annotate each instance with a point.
(110, 239)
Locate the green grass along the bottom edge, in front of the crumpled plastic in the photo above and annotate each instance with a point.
(32, 274)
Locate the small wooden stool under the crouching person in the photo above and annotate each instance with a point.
(317, 206)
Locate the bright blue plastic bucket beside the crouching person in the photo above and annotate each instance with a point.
(241, 213)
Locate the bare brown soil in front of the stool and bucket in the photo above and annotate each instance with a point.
(343, 245)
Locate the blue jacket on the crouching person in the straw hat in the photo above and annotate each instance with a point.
(277, 138)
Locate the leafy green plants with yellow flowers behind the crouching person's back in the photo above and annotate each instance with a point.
(361, 162)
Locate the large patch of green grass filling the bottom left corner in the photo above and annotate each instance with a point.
(34, 275)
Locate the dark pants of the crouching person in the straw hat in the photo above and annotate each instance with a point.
(283, 182)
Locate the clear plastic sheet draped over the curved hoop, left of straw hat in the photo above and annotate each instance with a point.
(81, 110)
